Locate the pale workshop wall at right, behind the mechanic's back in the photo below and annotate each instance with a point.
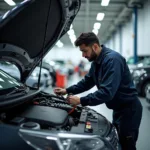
(143, 45)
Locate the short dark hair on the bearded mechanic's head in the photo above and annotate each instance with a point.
(87, 38)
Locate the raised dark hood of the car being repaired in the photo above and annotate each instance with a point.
(31, 29)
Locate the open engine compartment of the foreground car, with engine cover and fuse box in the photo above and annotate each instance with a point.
(48, 111)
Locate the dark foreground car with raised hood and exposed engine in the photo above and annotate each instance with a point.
(30, 118)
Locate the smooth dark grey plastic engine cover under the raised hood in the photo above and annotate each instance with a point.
(45, 115)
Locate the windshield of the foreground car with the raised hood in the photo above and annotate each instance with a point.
(7, 82)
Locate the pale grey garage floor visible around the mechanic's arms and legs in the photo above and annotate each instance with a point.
(144, 134)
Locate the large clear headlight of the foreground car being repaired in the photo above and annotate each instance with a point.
(42, 140)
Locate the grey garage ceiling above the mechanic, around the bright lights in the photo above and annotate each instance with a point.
(116, 14)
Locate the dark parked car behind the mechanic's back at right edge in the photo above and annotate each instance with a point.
(141, 76)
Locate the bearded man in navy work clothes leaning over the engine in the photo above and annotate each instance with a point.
(110, 73)
